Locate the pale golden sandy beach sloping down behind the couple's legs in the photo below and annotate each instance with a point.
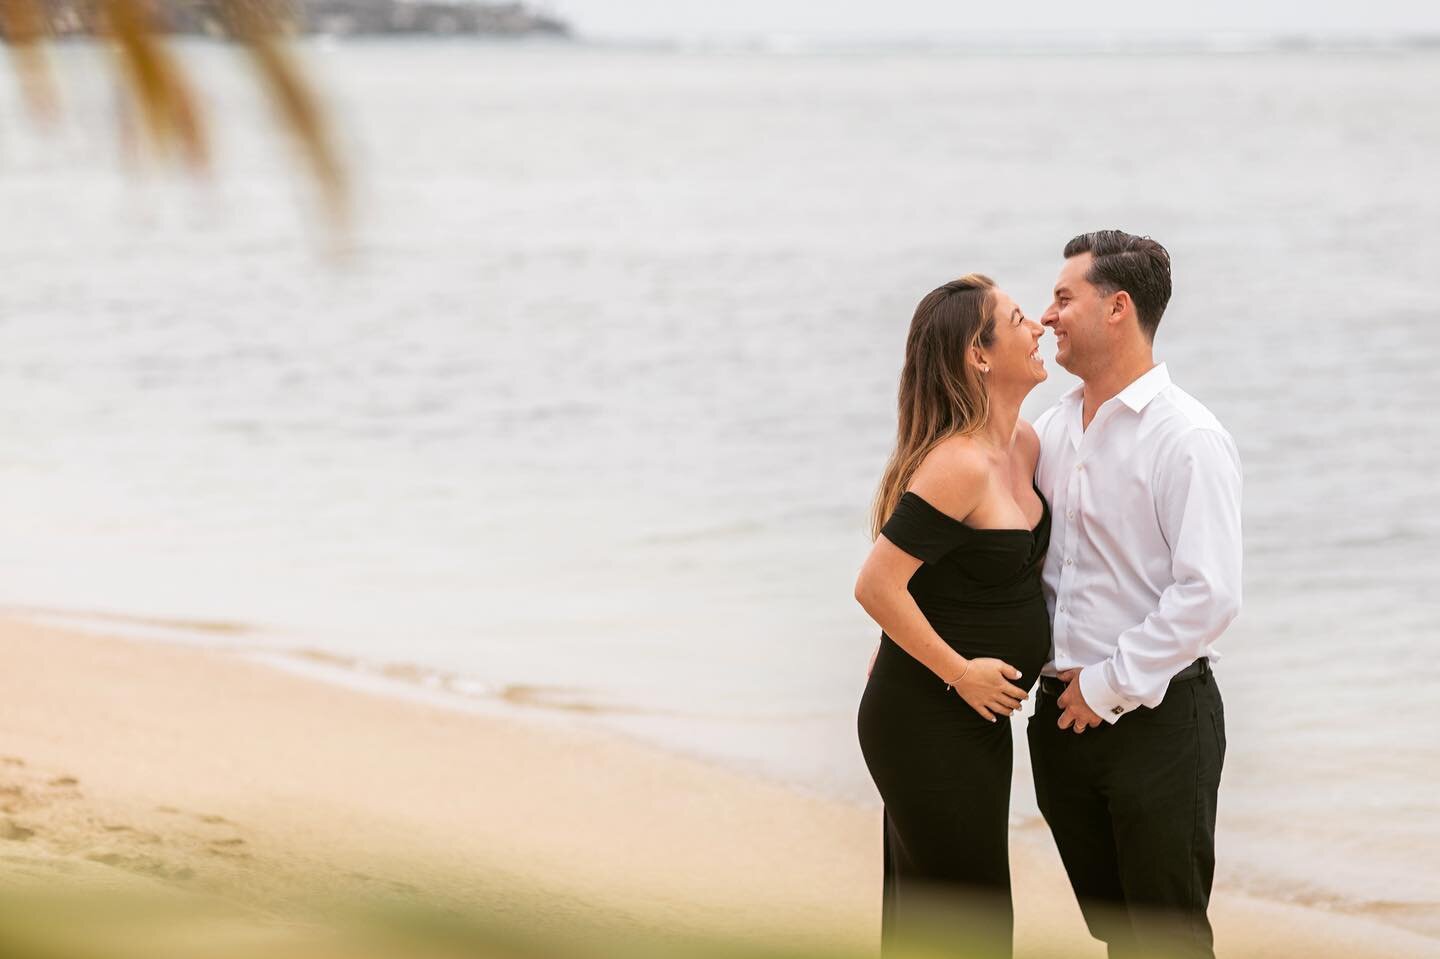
(127, 760)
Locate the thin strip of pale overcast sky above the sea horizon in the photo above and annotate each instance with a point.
(914, 19)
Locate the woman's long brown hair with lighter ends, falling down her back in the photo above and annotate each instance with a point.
(941, 395)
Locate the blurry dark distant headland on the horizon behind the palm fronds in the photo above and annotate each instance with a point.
(332, 18)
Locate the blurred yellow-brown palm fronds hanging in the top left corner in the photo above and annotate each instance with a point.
(162, 93)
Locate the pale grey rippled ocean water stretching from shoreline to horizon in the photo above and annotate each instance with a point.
(587, 423)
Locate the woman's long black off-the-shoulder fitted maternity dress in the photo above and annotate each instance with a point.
(942, 770)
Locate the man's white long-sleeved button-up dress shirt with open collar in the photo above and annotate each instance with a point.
(1144, 565)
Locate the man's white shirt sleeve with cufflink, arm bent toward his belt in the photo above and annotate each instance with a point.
(1197, 503)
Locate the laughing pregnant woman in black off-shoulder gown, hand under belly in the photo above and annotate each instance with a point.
(954, 582)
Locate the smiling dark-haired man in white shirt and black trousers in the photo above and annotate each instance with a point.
(1141, 578)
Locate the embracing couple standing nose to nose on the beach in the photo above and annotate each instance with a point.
(1091, 559)
